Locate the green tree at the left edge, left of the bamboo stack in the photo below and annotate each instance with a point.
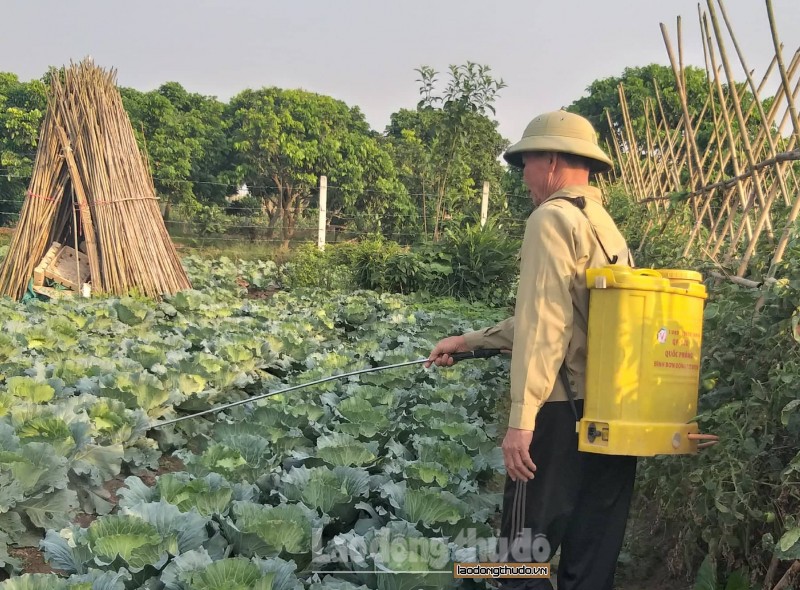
(22, 107)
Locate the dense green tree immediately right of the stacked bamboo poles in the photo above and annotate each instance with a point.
(184, 136)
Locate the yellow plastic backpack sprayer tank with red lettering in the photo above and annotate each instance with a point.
(643, 365)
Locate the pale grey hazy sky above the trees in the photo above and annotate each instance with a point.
(364, 52)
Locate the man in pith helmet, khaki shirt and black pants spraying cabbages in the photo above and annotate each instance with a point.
(554, 494)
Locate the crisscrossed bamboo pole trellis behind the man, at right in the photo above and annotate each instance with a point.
(740, 182)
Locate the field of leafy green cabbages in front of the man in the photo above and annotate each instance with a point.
(328, 487)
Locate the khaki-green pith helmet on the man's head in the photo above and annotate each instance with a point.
(560, 131)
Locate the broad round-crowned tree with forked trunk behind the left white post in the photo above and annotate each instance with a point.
(284, 140)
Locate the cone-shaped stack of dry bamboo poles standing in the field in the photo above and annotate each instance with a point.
(91, 190)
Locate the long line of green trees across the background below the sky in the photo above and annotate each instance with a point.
(423, 172)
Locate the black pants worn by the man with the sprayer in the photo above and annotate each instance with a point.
(578, 501)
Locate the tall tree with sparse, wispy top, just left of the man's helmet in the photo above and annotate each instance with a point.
(447, 146)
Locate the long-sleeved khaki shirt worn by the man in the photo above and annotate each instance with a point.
(552, 306)
